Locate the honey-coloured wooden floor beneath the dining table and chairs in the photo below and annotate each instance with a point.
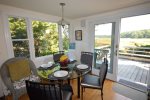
(90, 94)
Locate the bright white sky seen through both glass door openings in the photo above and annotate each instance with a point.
(127, 24)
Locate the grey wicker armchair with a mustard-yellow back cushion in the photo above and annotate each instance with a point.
(15, 71)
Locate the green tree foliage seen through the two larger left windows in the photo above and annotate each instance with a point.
(45, 37)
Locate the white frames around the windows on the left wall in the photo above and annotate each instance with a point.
(30, 37)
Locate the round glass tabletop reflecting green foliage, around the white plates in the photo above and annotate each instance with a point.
(73, 72)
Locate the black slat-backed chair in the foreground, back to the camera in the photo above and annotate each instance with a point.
(48, 91)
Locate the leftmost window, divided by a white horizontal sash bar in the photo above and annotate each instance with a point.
(20, 42)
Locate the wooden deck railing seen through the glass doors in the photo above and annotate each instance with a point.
(134, 53)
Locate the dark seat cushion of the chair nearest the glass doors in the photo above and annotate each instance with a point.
(91, 81)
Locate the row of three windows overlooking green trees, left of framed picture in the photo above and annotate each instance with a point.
(45, 37)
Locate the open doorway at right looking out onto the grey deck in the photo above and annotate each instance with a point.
(134, 49)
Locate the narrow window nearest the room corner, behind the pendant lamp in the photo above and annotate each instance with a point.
(65, 37)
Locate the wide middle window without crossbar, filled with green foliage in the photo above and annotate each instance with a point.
(45, 38)
